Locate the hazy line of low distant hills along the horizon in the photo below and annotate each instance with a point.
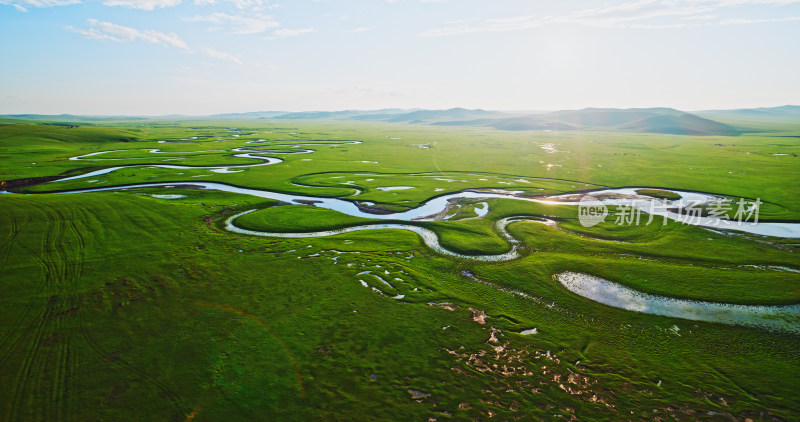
(637, 120)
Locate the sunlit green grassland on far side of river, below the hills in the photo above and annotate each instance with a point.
(742, 166)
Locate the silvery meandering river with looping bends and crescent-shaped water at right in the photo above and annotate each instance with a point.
(781, 318)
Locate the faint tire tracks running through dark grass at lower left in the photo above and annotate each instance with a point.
(62, 263)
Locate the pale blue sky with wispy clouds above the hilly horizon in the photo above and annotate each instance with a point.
(198, 57)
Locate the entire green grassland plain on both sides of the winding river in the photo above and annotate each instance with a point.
(126, 306)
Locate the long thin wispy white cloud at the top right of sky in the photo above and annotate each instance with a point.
(631, 14)
